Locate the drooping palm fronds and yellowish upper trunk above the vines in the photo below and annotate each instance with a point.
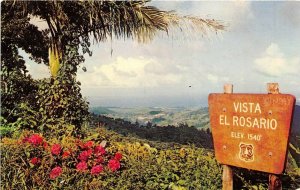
(100, 20)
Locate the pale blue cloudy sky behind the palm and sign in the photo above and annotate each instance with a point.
(261, 44)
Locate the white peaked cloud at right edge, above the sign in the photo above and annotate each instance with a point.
(274, 62)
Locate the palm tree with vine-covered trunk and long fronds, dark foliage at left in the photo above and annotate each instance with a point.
(72, 26)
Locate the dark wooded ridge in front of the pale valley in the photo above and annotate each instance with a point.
(182, 134)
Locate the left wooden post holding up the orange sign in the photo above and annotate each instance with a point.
(227, 178)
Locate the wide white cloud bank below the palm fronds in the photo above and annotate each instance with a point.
(129, 72)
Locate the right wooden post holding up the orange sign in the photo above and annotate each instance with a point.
(274, 180)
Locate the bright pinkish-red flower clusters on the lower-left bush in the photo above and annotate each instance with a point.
(87, 156)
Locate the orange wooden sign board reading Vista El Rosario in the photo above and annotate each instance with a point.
(251, 130)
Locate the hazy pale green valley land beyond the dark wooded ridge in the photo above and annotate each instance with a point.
(197, 117)
